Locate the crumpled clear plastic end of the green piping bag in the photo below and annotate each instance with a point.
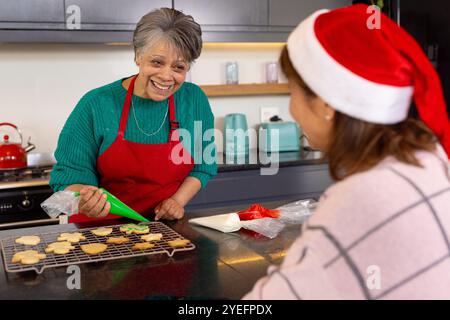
(61, 202)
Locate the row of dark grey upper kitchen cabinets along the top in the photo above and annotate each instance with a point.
(113, 21)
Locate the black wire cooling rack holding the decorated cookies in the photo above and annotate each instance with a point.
(77, 256)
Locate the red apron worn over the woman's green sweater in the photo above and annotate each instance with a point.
(141, 175)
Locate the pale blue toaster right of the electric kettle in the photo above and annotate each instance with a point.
(279, 136)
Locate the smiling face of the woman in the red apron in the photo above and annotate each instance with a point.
(162, 71)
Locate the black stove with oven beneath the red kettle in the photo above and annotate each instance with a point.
(23, 190)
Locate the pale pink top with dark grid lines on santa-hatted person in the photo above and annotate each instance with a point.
(380, 234)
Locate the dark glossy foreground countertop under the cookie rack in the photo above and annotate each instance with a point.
(223, 266)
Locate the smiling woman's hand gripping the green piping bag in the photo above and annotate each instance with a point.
(93, 202)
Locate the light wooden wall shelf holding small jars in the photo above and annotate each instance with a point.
(252, 89)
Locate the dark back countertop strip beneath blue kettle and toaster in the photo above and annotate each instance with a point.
(257, 160)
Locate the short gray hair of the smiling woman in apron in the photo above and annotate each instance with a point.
(178, 29)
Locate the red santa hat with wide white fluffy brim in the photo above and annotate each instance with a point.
(368, 73)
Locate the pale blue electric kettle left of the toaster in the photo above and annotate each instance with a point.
(236, 141)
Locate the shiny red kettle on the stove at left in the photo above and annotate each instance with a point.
(13, 155)
